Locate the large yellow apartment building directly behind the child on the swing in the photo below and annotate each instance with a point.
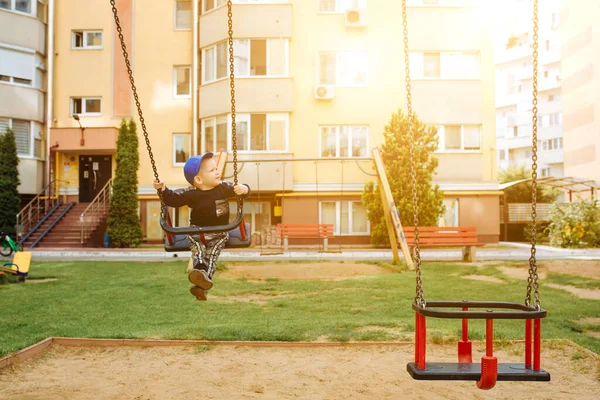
(315, 80)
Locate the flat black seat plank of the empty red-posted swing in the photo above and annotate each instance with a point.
(472, 372)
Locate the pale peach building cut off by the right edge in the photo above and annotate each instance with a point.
(581, 84)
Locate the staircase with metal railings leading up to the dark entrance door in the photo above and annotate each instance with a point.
(66, 233)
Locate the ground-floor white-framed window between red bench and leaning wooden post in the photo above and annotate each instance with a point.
(347, 217)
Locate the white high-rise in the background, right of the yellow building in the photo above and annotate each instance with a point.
(514, 87)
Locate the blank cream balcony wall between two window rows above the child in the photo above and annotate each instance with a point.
(253, 94)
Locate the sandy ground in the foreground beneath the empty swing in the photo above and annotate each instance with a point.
(228, 372)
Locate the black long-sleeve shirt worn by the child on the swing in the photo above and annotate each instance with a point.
(208, 207)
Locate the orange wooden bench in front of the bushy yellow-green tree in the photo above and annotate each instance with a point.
(455, 236)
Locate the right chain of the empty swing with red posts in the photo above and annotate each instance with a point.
(532, 280)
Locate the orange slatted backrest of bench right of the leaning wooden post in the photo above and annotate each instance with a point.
(443, 236)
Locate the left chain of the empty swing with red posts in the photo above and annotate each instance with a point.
(419, 298)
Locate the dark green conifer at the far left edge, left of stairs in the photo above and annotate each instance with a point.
(10, 201)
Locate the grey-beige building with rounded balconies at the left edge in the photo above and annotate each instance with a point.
(23, 87)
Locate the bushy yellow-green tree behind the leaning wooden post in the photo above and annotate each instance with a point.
(396, 157)
